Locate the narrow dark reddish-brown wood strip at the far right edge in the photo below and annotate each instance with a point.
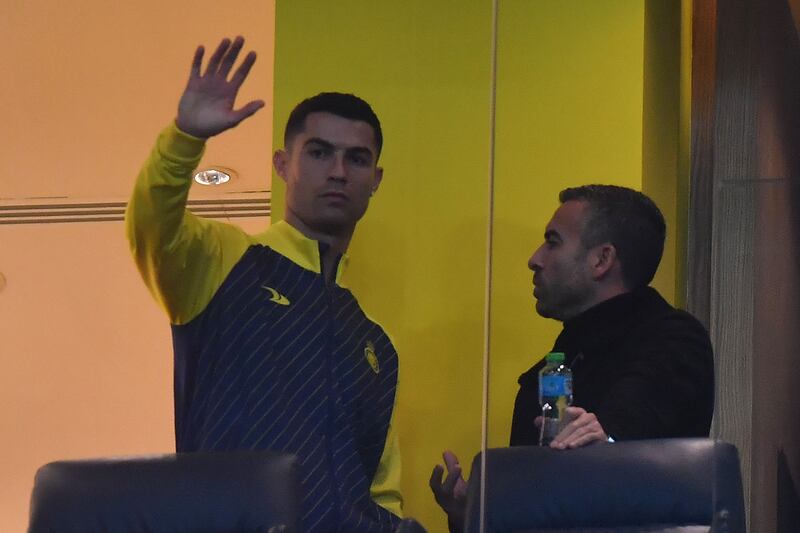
(776, 372)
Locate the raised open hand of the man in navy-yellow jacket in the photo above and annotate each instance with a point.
(206, 106)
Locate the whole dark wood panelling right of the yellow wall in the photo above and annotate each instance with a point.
(744, 240)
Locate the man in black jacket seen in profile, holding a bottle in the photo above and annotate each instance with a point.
(641, 368)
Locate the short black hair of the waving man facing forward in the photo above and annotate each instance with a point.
(340, 104)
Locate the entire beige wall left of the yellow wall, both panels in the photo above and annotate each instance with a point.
(85, 353)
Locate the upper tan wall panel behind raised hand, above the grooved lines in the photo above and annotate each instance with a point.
(94, 82)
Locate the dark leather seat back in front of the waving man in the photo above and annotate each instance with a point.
(225, 491)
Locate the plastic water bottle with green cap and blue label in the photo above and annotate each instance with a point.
(555, 394)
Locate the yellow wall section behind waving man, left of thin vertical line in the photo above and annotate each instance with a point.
(417, 261)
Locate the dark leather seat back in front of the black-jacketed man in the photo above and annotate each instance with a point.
(676, 485)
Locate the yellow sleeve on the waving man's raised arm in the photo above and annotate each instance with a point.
(182, 258)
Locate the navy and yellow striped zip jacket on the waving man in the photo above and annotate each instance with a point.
(267, 354)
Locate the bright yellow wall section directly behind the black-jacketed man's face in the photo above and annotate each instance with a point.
(569, 108)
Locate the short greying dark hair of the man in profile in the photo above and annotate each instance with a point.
(627, 219)
